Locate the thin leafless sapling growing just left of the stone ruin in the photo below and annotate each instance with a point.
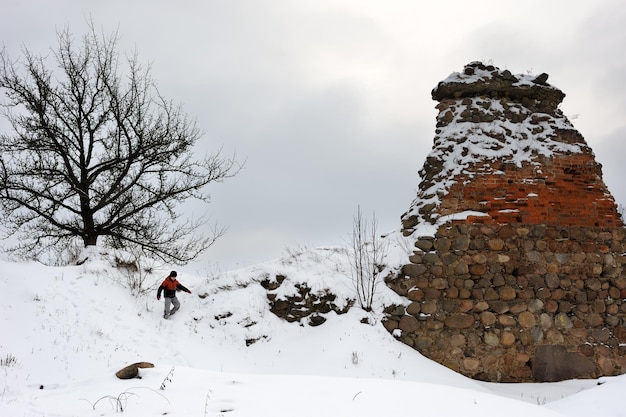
(368, 252)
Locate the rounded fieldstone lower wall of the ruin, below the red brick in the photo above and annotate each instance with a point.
(518, 302)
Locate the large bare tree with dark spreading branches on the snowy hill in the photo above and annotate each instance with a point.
(95, 152)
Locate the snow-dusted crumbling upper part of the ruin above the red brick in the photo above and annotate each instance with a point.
(486, 114)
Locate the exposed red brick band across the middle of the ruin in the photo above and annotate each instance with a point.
(564, 190)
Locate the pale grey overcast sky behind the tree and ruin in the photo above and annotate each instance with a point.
(329, 101)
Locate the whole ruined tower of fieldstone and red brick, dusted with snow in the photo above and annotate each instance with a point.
(517, 273)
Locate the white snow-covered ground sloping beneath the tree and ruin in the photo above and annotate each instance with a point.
(65, 331)
